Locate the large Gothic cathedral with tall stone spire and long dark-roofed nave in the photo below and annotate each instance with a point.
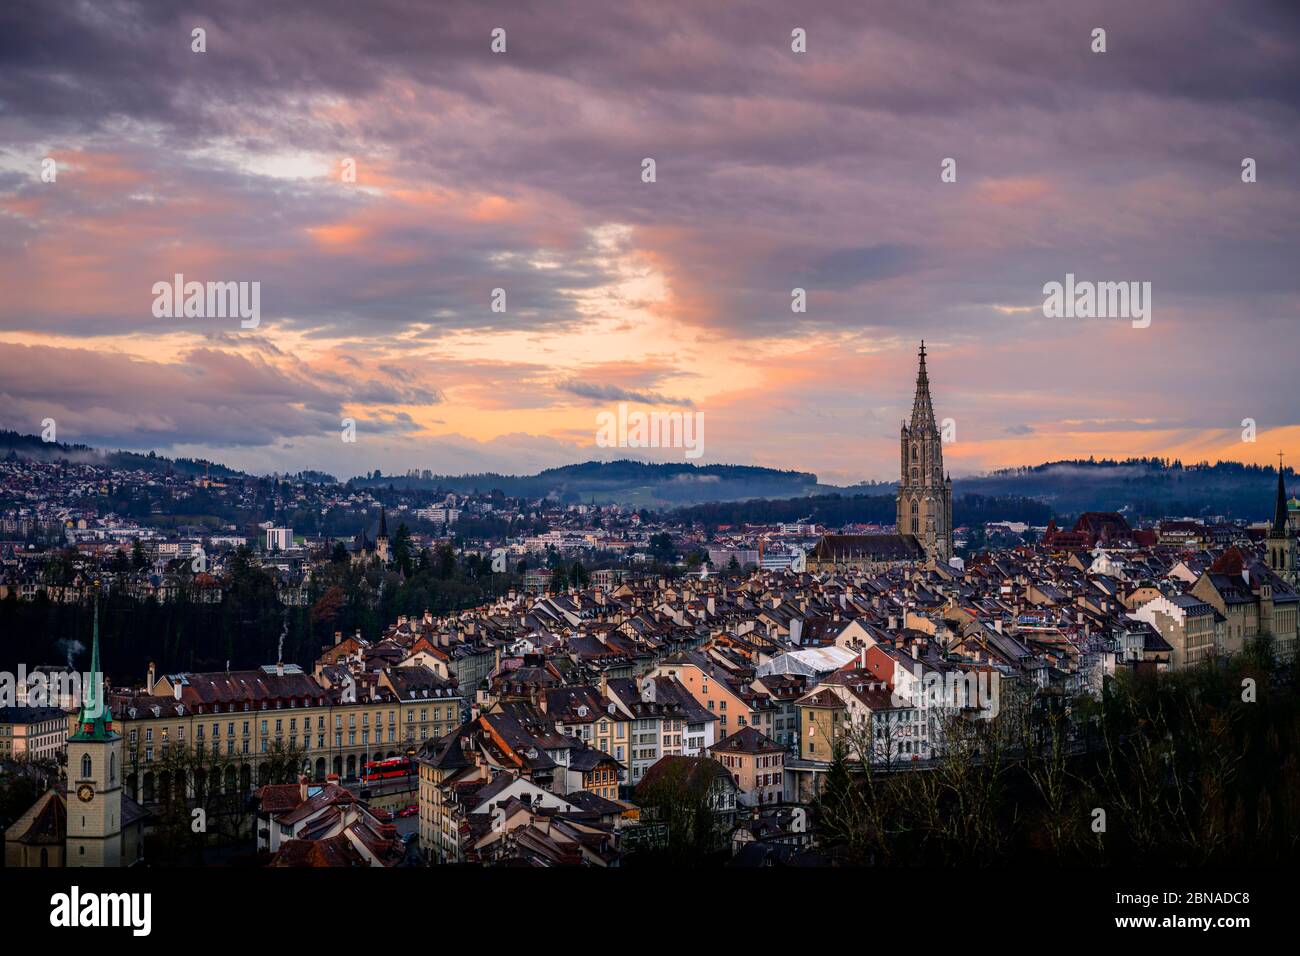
(925, 505)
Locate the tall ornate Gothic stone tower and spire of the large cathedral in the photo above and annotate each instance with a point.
(925, 492)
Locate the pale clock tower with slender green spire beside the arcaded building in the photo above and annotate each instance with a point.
(96, 776)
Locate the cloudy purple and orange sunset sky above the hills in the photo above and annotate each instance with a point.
(774, 171)
